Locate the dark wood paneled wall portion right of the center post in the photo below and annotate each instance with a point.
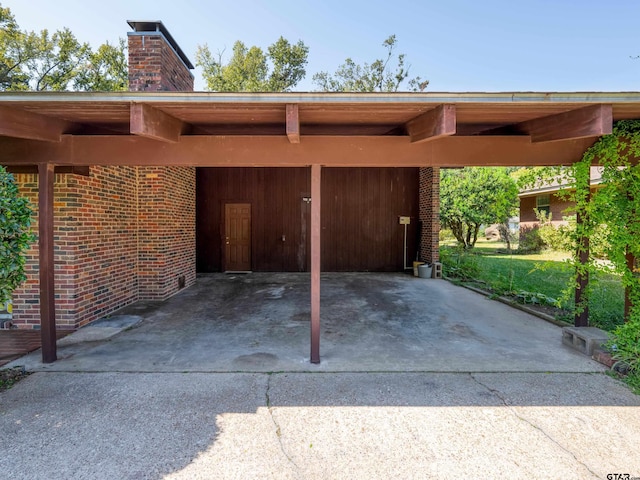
(360, 212)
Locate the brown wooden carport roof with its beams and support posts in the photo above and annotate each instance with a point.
(71, 133)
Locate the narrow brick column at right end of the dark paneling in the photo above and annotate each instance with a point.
(430, 214)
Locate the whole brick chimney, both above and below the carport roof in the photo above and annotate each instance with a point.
(166, 195)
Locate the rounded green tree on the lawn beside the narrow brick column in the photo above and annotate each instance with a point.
(473, 196)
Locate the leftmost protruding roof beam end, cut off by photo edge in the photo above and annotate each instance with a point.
(18, 123)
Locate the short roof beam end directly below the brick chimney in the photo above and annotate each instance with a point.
(147, 121)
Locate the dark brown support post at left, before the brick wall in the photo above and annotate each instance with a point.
(46, 174)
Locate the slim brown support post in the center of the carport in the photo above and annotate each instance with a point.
(315, 263)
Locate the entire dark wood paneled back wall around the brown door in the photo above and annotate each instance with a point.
(360, 210)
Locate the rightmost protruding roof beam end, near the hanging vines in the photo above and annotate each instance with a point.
(585, 122)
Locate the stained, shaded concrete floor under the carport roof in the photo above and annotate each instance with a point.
(369, 322)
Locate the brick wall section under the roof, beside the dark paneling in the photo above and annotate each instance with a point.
(167, 226)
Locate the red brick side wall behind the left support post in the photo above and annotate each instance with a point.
(95, 247)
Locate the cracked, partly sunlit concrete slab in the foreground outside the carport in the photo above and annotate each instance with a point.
(318, 425)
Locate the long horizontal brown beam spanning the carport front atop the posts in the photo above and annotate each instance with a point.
(274, 151)
